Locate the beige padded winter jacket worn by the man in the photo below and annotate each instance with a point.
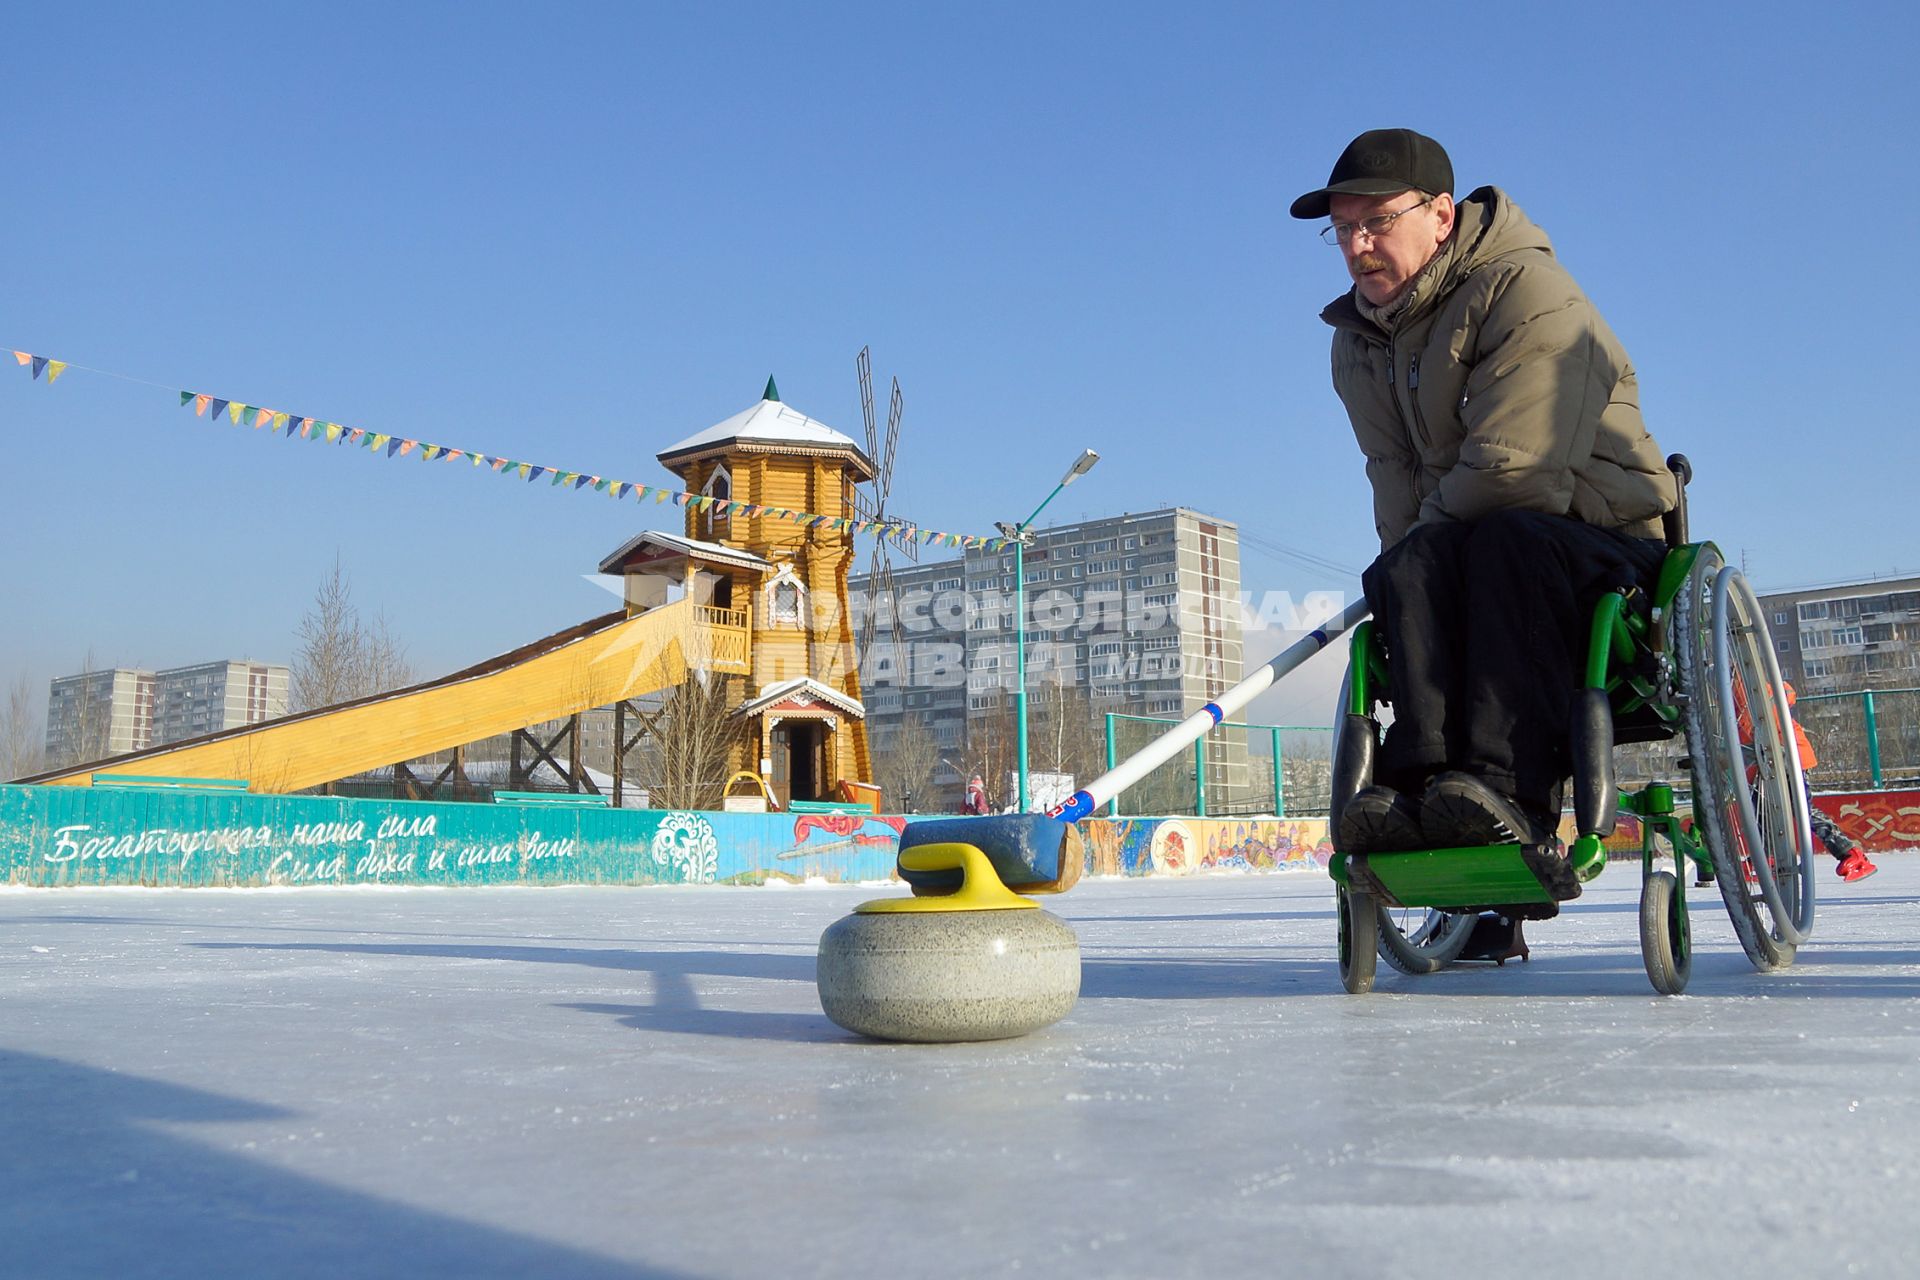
(1497, 385)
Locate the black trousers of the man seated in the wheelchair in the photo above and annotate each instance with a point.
(1487, 630)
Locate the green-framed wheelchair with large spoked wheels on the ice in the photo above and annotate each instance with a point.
(1694, 663)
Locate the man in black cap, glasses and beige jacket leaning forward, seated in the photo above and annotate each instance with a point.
(1514, 485)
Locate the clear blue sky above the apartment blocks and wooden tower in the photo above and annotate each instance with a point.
(583, 233)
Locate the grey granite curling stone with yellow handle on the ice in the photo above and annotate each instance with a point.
(974, 964)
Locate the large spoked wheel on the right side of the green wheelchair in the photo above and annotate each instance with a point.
(1748, 797)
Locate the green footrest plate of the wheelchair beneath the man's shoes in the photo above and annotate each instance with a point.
(1479, 878)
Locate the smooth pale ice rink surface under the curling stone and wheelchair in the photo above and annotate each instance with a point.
(640, 1083)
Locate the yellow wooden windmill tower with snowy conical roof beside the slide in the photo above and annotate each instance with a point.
(805, 726)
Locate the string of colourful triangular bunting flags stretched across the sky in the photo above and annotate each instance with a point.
(293, 427)
